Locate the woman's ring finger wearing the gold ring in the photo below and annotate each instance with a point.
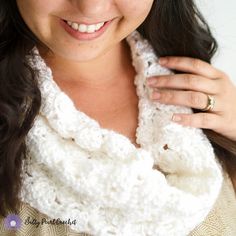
(191, 99)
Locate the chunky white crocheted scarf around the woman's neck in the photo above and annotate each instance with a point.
(76, 169)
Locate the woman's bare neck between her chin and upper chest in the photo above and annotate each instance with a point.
(102, 72)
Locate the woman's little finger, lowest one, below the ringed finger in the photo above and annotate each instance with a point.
(199, 120)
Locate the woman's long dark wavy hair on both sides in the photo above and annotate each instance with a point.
(174, 28)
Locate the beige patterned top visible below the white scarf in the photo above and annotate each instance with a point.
(221, 221)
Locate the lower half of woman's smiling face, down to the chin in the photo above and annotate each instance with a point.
(44, 18)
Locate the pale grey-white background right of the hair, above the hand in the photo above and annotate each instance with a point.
(221, 16)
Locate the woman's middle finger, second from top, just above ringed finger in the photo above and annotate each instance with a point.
(185, 81)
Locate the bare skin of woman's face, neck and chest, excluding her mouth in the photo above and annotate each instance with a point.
(96, 74)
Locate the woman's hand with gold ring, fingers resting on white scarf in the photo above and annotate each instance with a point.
(191, 90)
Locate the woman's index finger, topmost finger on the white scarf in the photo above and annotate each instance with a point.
(191, 65)
